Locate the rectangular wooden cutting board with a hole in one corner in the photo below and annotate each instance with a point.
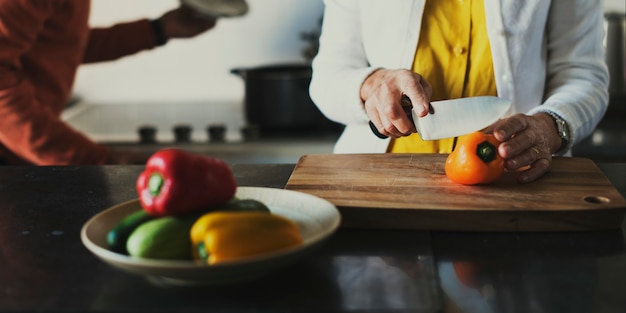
(411, 191)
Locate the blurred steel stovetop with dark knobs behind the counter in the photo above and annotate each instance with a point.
(215, 129)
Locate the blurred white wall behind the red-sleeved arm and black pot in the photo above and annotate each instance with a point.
(197, 69)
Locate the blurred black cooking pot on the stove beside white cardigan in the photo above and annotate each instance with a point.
(277, 97)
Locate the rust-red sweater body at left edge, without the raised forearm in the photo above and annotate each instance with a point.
(37, 68)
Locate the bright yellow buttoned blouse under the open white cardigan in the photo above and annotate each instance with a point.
(453, 55)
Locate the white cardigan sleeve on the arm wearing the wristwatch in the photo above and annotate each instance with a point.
(576, 90)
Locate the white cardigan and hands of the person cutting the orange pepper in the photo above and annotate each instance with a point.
(547, 59)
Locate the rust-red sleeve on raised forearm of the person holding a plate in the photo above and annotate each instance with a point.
(122, 39)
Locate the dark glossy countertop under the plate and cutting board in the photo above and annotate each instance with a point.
(45, 268)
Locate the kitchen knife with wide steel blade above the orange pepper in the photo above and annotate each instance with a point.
(456, 117)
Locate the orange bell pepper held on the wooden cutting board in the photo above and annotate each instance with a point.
(475, 160)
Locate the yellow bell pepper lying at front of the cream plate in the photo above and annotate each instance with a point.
(225, 236)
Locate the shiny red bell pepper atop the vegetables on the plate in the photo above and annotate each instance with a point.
(176, 182)
